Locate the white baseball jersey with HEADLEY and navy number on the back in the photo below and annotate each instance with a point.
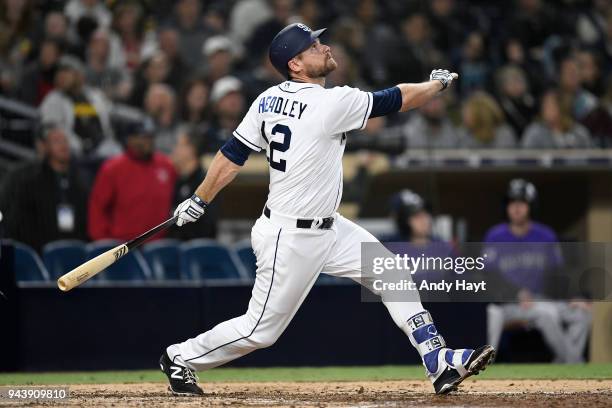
(303, 127)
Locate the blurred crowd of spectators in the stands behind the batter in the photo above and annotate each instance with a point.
(534, 74)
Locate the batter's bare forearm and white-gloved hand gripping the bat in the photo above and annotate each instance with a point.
(221, 172)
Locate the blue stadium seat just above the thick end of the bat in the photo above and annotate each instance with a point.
(61, 257)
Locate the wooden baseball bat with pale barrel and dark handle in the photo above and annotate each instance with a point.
(96, 265)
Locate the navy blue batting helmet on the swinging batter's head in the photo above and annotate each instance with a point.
(289, 42)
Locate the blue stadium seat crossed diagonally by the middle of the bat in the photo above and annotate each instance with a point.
(131, 267)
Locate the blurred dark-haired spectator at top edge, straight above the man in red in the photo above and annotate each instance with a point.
(128, 24)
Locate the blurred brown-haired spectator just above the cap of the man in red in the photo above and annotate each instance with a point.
(160, 105)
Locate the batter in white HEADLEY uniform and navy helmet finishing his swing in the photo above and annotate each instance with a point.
(302, 127)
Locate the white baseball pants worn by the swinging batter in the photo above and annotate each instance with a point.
(289, 261)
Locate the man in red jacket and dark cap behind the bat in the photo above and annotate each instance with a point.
(133, 191)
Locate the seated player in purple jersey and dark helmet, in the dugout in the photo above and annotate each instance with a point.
(523, 263)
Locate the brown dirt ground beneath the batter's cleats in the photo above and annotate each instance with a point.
(532, 393)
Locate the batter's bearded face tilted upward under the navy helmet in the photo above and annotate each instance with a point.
(316, 61)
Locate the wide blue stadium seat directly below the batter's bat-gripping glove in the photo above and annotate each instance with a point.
(203, 259)
